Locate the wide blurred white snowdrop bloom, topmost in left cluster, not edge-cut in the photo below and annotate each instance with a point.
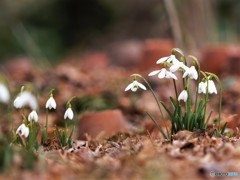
(25, 98)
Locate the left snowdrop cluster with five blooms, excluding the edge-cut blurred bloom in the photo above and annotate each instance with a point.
(30, 134)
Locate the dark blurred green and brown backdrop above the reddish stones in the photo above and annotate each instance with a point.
(51, 30)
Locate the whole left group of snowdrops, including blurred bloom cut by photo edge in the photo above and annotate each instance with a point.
(26, 139)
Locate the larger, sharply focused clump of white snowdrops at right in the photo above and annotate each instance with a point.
(188, 112)
